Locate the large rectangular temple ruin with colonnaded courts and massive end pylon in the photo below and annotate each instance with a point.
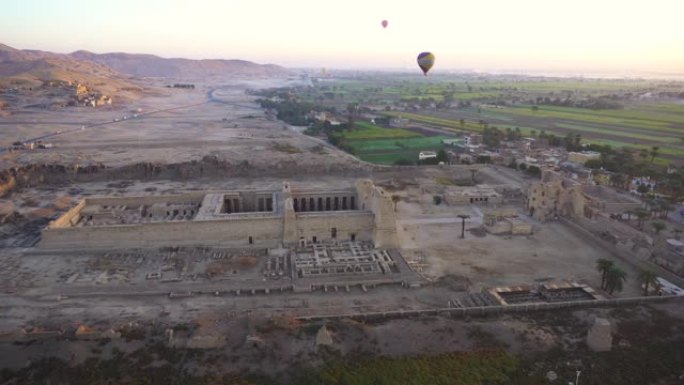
(292, 216)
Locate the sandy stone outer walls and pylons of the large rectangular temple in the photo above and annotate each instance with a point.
(373, 220)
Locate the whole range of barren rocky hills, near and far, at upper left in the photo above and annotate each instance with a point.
(82, 78)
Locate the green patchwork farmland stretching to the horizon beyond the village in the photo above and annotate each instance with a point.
(643, 118)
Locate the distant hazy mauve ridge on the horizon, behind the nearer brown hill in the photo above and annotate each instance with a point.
(155, 66)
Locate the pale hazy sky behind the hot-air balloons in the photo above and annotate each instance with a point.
(571, 35)
